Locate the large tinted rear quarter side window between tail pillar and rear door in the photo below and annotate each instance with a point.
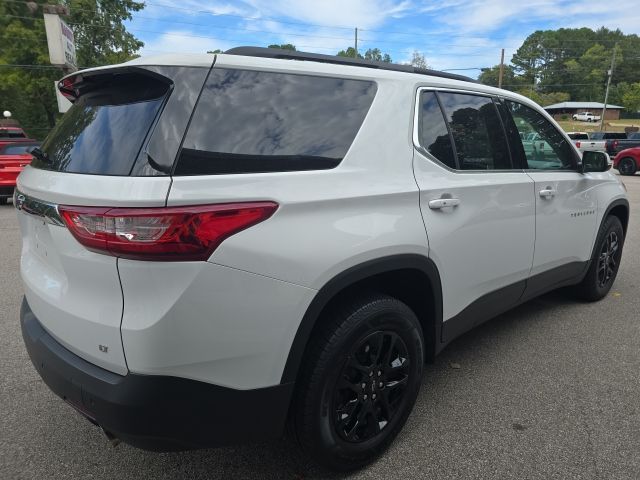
(250, 122)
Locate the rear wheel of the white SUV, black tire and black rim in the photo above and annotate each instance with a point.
(375, 341)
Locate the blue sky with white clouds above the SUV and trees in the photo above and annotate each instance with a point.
(455, 35)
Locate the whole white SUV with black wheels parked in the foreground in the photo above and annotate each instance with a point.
(214, 246)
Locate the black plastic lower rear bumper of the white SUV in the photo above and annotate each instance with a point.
(155, 412)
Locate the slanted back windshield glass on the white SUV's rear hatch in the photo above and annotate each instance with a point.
(105, 128)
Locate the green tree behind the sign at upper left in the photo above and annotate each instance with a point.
(26, 76)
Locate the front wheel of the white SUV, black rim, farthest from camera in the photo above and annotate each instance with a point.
(605, 261)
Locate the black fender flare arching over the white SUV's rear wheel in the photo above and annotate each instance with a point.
(347, 278)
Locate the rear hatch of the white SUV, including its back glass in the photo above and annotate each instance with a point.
(96, 156)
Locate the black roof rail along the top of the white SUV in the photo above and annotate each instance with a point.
(356, 62)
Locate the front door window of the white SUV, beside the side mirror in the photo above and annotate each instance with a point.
(543, 146)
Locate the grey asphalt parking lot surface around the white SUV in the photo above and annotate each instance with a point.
(549, 390)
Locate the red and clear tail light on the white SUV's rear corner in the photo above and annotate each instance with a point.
(167, 234)
